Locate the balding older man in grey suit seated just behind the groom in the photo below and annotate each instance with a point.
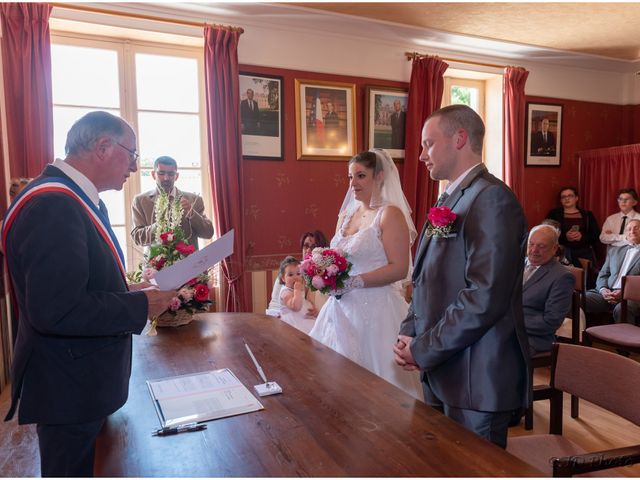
(547, 288)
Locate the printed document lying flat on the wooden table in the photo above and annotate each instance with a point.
(200, 397)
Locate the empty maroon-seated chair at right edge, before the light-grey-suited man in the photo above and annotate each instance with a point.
(623, 336)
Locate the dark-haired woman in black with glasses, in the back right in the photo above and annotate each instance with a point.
(579, 230)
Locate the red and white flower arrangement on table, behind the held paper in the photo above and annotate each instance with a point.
(169, 247)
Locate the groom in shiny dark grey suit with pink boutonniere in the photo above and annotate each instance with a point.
(465, 327)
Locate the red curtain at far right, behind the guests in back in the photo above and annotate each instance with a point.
(603, 172)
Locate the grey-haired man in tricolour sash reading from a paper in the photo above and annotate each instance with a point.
(72, 359)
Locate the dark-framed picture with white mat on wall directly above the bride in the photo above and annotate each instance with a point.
(385, 119)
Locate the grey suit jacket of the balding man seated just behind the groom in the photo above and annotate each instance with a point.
(546, 300)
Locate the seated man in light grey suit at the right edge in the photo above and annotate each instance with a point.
(620, 261)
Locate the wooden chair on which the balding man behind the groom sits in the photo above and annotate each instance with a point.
(543, 359)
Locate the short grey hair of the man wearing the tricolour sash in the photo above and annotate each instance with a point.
(83, 134)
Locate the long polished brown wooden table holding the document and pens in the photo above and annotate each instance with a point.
(333, 419)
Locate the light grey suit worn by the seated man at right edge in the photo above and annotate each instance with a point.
(607, 277)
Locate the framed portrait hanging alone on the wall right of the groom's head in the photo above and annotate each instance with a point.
(544, 135)
